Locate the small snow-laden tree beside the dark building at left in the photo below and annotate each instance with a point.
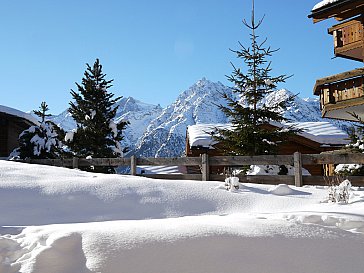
(40, 141)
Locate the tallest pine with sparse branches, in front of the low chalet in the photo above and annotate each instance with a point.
(252, 132)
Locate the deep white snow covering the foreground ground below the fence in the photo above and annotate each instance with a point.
(56, 220)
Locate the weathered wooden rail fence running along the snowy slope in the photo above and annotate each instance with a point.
(205, 162)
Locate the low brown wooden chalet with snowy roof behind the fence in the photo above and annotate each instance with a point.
(315, 138)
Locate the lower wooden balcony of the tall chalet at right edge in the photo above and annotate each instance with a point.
(342, 94)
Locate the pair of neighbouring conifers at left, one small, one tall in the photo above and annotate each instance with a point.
(96, 135)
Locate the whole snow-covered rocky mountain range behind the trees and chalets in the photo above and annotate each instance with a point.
(157, 132)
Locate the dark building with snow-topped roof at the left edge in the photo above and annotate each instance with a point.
(12, 123)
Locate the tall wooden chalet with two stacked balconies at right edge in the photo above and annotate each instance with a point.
(343, 94)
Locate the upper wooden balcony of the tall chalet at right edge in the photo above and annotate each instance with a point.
(349, 39)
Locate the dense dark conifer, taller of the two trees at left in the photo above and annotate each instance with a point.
(93, 110)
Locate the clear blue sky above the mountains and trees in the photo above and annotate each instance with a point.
(153, 50)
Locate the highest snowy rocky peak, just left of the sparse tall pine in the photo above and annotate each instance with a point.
(166, 135)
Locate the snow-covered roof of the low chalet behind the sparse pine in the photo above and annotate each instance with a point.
(324, 133)
